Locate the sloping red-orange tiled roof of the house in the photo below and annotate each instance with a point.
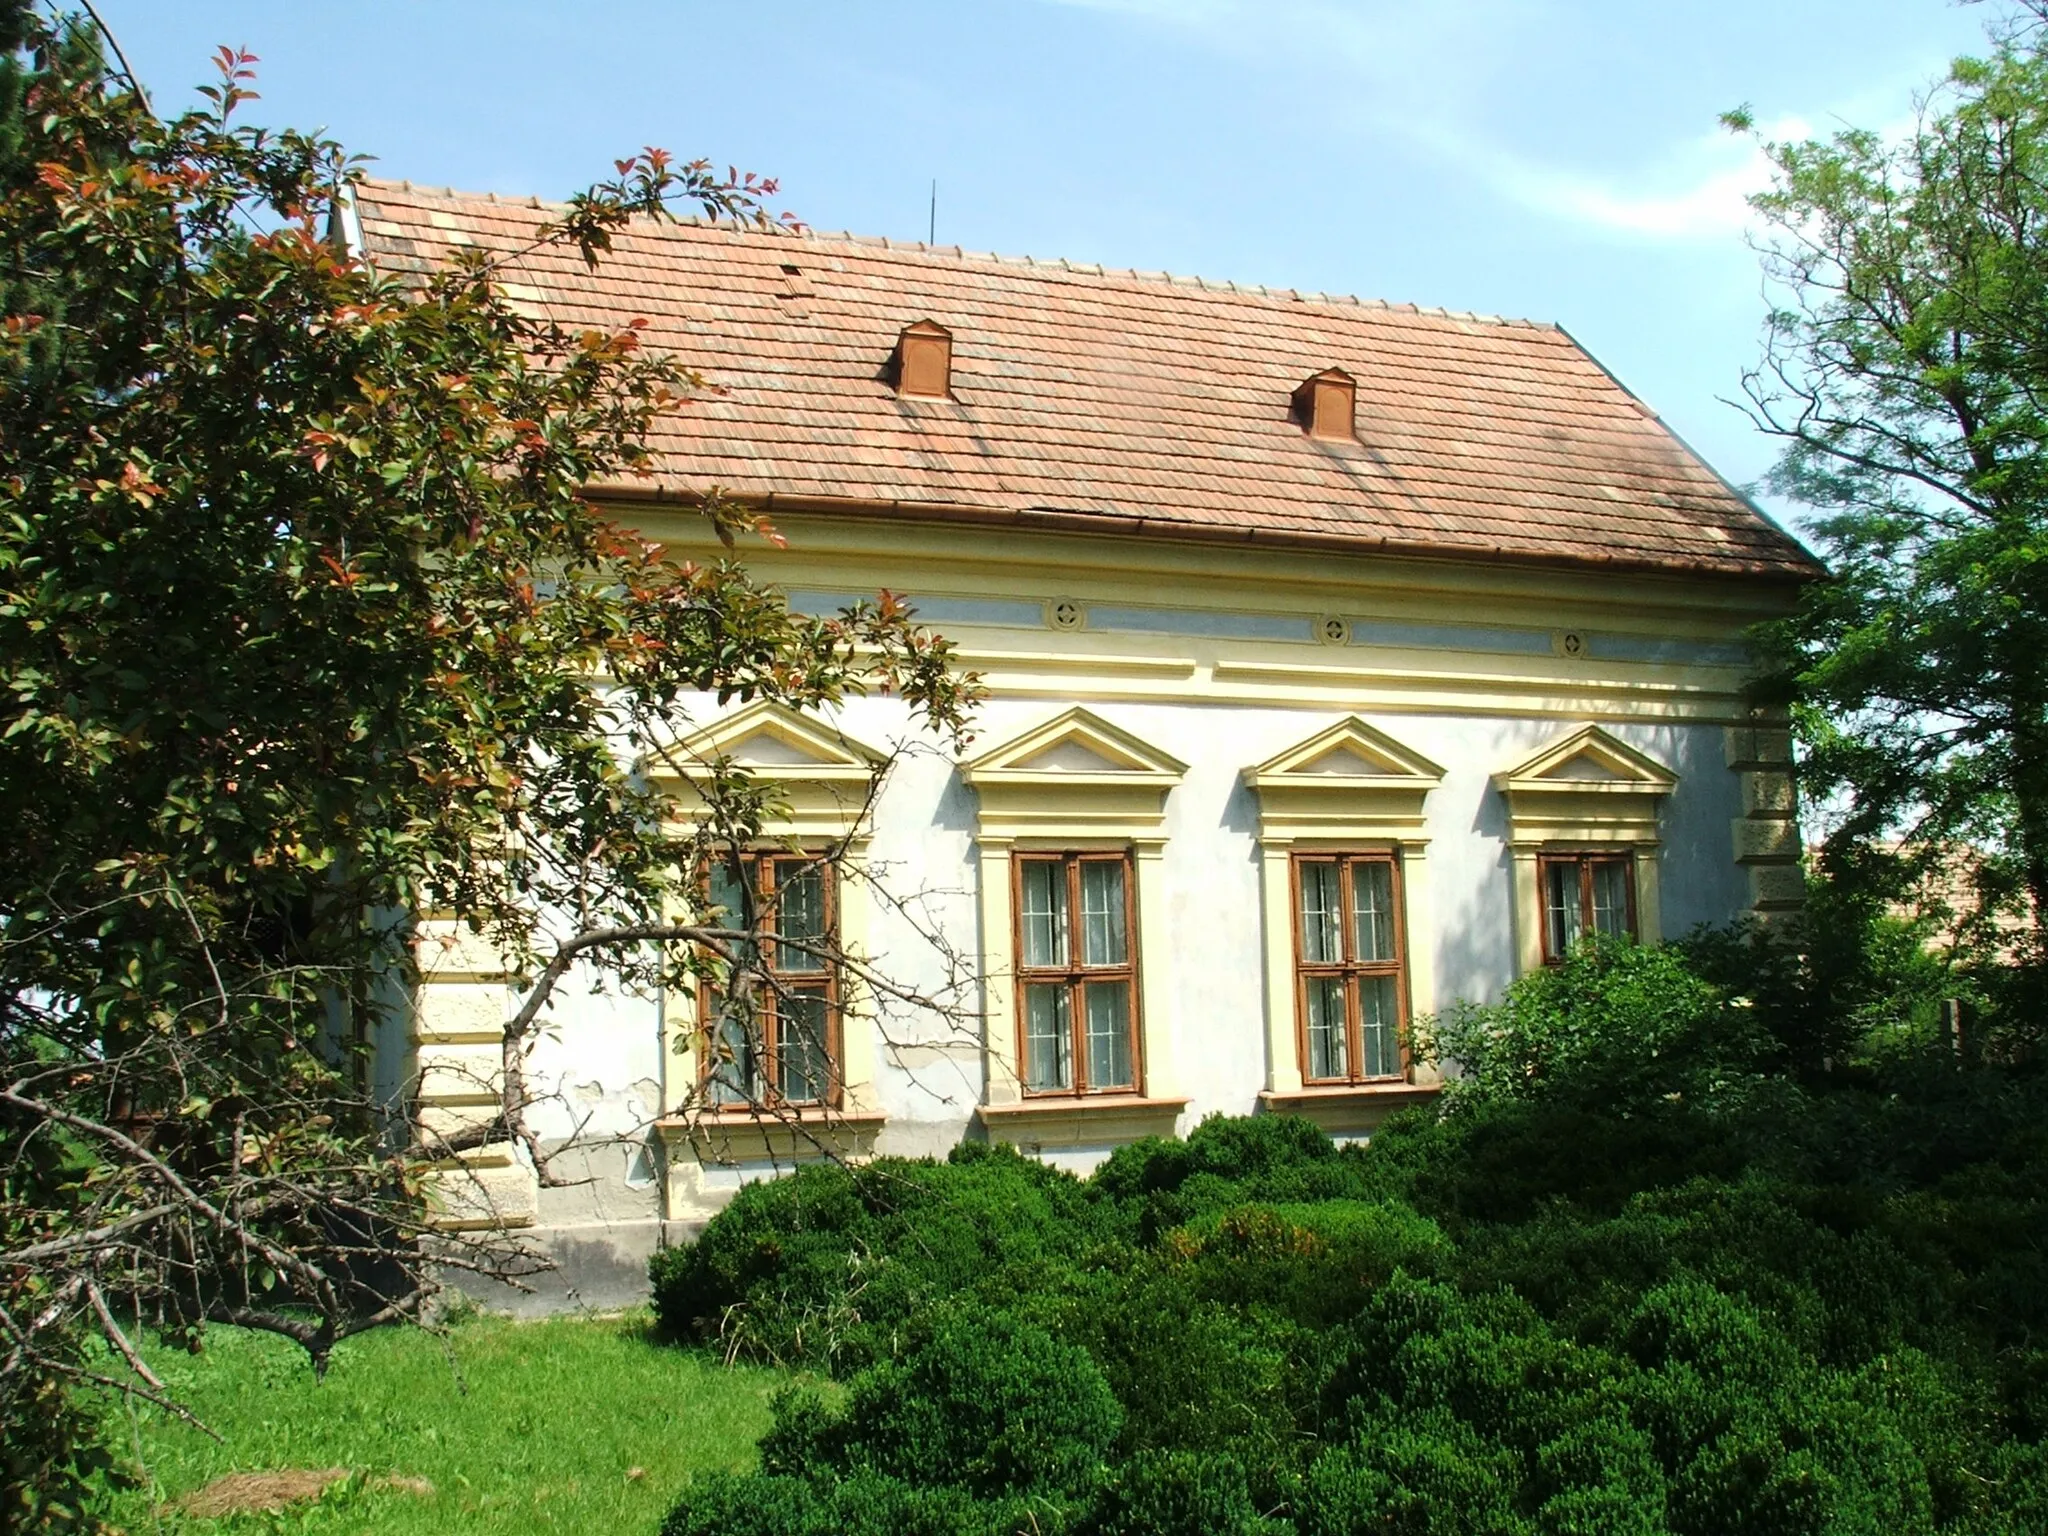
(1129, 398)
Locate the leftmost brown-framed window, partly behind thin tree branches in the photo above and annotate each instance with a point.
(783, 1048)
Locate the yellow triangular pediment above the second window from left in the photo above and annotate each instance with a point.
(1074, 777)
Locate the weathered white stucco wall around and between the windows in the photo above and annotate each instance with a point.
(603, 1054)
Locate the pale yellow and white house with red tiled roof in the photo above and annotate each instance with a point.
(1345, 660)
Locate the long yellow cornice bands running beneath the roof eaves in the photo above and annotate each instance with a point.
(1129, 572)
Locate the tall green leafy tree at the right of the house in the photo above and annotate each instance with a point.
(1908, 376)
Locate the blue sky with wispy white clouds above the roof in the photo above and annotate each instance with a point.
(1543, 159)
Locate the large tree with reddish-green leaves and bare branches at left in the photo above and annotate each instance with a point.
(306, 628)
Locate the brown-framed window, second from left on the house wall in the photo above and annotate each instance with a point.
(1076, 1002)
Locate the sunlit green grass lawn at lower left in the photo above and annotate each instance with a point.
(562, 1426)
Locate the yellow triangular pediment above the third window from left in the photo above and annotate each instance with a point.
(1349, 781)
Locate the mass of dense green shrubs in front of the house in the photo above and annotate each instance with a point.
(1658, 1271)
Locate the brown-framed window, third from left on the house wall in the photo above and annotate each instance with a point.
(1349, 968)
